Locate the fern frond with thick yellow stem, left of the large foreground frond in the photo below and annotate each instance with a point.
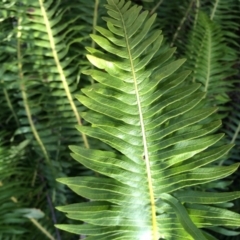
(52, 66)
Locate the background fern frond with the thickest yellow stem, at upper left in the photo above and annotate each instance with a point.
(56, 65)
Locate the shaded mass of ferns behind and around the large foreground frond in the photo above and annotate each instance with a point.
(42, 57)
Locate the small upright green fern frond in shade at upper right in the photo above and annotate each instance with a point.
(206, 52)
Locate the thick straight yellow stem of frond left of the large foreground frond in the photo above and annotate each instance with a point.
(60, 69)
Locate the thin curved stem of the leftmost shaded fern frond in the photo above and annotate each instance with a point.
(25, 100)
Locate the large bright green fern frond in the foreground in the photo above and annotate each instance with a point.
(164, 141)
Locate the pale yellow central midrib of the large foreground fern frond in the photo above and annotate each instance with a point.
(144, 138)
